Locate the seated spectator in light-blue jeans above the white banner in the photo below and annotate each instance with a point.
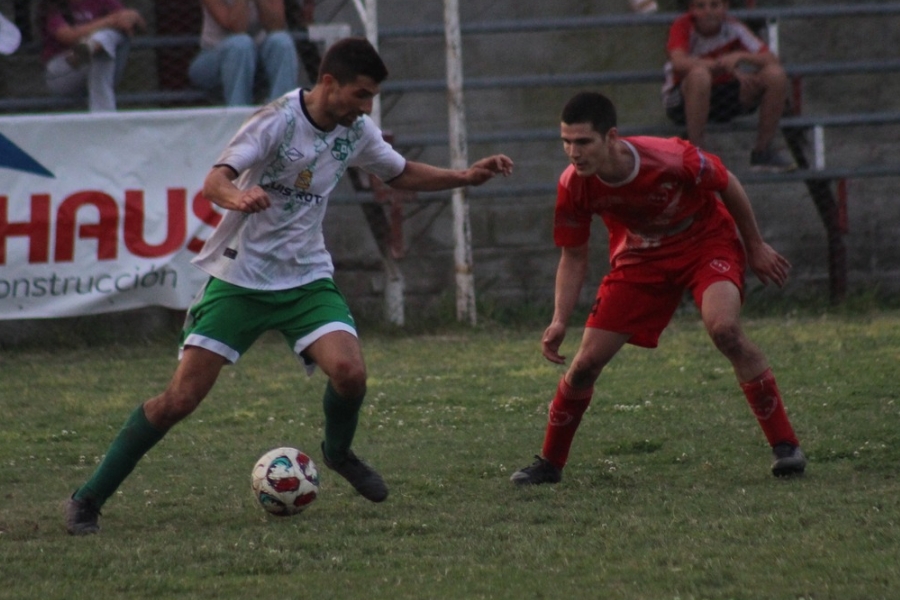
(237, 36)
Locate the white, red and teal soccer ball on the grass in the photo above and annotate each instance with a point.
(285, 481)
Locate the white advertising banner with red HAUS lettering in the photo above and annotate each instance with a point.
(103, 213)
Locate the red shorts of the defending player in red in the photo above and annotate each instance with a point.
(640, 298)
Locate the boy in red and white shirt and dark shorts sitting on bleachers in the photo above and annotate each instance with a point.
(718, 69)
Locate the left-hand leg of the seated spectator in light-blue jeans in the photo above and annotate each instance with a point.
(228, 68)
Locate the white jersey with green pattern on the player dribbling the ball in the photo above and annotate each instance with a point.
(298, 165)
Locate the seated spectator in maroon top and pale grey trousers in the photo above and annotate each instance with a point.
(86, 45)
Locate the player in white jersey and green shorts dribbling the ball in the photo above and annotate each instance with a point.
(269, 268)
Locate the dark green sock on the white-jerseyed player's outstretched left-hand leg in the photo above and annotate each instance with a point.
(135, 439)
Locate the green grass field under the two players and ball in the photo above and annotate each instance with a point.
(667, 495)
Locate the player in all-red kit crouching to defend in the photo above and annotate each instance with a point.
(673, 213)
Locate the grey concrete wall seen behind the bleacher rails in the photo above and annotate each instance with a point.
(513, 252)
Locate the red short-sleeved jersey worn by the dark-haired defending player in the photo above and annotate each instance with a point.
(668, 202)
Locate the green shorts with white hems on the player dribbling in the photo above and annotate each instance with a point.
(227, 319)
